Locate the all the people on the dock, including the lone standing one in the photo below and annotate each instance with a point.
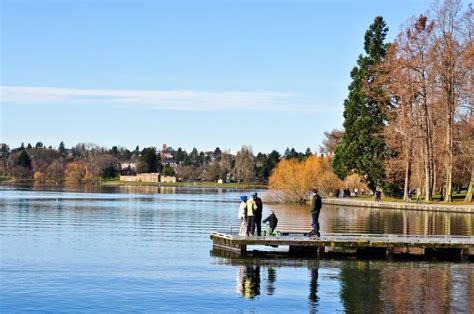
(250, 215)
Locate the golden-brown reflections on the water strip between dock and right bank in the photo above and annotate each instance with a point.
(344, 219)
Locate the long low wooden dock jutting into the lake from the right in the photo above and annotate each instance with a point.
(340, 243)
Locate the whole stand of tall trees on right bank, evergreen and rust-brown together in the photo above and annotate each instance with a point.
(408, 119)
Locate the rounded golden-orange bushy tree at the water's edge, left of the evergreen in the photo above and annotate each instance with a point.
(291, 180)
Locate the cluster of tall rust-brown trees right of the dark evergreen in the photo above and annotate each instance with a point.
(429, 79)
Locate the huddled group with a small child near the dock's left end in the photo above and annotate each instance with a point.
(250, 215)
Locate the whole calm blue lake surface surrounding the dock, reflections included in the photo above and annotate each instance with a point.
(147, 249)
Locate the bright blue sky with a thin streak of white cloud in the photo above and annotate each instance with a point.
(205, 74)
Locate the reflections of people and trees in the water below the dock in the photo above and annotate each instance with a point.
(365, 286)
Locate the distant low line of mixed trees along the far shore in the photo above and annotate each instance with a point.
(89, 163)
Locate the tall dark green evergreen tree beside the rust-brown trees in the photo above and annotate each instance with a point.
(362, 148)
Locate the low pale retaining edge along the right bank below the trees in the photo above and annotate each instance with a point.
(451, 208)
